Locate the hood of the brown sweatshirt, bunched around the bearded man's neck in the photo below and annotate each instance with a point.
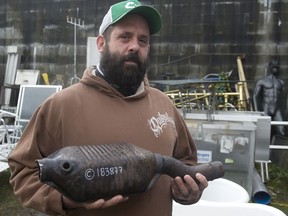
(89, 78)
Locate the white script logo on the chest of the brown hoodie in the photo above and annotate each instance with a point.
(158, 123)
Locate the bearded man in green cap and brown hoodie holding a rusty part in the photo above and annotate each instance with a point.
(112, 103)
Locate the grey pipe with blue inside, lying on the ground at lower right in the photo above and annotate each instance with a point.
(260, 193)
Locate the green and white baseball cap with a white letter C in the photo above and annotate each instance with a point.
(121, 9)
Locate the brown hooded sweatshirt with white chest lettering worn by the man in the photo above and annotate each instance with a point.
(92, 112)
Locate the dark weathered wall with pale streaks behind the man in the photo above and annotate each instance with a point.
(198, 37)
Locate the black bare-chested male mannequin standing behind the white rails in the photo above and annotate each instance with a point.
(267, 95)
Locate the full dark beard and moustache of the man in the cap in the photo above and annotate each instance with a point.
(126, 77)
